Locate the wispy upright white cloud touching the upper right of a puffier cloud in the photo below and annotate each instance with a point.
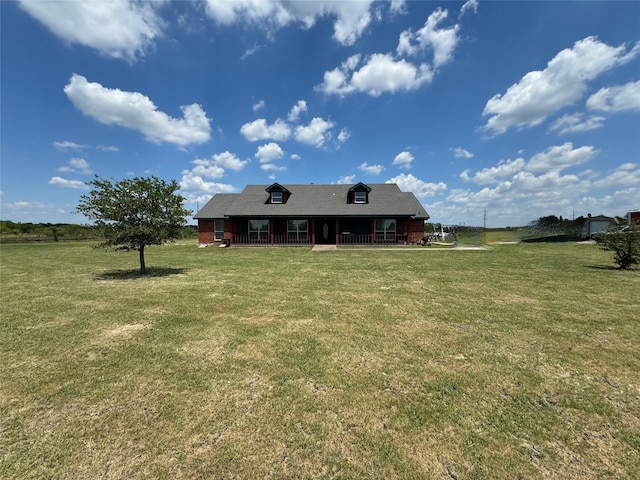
(441, 41)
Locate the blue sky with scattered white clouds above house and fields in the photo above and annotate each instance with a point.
(524, 109)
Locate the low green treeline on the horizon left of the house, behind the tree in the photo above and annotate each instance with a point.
(15, 232)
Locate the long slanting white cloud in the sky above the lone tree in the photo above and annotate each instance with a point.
(136, 111)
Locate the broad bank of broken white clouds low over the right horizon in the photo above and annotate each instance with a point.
(522, 190)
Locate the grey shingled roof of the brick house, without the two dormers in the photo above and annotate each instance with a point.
(309, 200)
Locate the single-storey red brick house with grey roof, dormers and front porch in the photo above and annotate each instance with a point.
(313, 214)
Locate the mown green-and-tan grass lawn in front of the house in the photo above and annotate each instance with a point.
(521, 361)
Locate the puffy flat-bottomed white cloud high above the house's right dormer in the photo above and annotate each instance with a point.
(380, 74)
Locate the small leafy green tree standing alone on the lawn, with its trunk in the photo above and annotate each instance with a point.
(134, 213)
